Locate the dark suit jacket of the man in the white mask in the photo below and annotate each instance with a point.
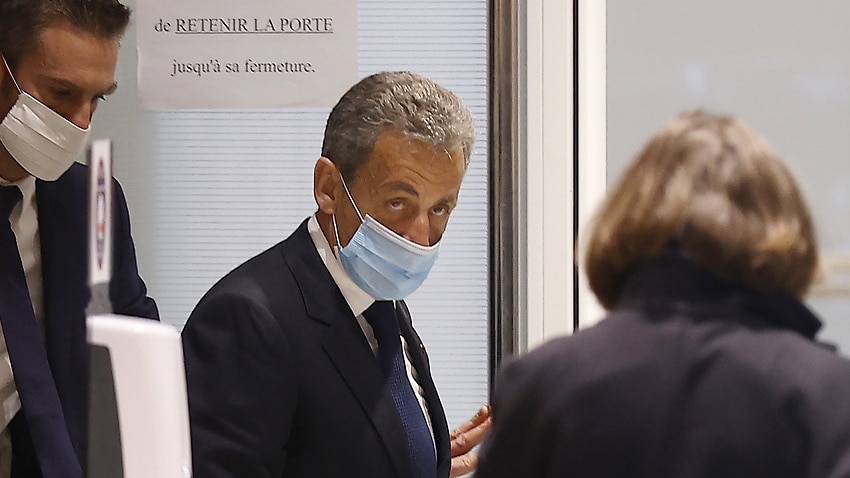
(63, 230)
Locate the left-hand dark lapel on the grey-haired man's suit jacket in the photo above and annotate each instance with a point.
(347, 347)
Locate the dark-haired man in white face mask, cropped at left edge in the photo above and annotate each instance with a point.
(58, 62)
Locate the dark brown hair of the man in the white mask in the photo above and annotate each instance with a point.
(22, 21)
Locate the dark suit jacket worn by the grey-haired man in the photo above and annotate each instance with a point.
(282, 382)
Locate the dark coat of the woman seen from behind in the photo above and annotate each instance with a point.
(688, 377)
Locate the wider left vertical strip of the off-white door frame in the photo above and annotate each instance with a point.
(546, 137)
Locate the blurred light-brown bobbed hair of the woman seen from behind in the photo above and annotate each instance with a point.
(714, 186)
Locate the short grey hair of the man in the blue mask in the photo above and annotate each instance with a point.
(403, 102)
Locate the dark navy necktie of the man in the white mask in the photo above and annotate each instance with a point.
(33, 379)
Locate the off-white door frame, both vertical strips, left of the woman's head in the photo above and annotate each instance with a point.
(548, 130)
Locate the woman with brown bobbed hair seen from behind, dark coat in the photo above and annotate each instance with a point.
(706, 365)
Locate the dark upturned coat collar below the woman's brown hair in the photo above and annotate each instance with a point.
(673, 281)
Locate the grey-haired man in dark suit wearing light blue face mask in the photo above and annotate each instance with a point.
(294, 363)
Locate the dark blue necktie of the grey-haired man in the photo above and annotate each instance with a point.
(382, 317)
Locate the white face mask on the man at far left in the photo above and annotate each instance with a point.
(42, 141)
